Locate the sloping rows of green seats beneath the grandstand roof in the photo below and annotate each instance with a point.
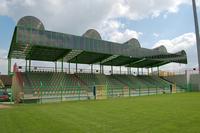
(85, 80)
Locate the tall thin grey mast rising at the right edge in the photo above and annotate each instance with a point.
(197, 32)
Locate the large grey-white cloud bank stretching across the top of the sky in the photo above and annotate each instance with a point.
(76, 16)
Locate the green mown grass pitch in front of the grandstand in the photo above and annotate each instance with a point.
(176, 113)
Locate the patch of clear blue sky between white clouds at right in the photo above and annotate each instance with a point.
(168, 28)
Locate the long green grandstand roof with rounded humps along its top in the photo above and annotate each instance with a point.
(32, 42)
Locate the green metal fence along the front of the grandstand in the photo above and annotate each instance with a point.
(44, 93)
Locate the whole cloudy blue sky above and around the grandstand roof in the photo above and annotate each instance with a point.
(152, 22)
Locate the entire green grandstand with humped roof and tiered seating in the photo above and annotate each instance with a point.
(31, 41)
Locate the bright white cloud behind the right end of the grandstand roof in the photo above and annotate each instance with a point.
(185, 42)
